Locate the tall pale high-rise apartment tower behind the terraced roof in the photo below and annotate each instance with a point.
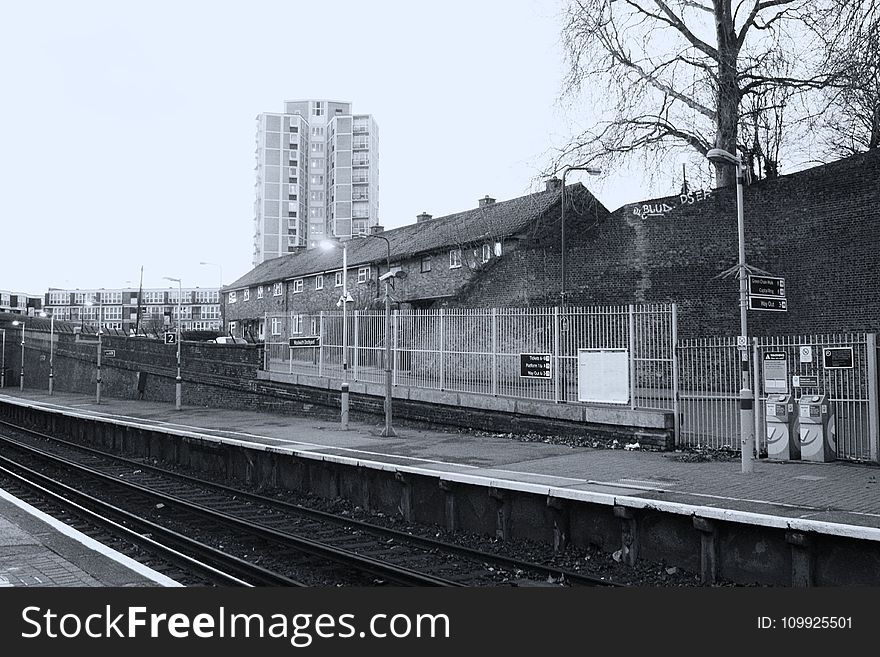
(317, 176)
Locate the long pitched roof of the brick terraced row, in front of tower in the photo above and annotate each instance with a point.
(489, 222)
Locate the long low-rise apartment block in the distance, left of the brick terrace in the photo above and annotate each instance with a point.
(121, 309)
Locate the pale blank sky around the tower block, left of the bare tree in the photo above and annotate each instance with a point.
(127, 130)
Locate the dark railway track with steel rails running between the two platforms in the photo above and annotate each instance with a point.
(301, 545)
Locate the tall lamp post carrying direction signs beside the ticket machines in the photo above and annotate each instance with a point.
(719, 156)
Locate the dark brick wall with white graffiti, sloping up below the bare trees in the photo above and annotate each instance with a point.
(819, 229)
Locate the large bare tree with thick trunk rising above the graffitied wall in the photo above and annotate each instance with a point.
(691, 75)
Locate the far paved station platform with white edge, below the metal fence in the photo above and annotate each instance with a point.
(836, 498)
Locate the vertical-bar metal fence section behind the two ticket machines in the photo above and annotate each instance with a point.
(709, 383)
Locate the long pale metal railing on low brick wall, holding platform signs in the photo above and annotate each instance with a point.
(481, 350)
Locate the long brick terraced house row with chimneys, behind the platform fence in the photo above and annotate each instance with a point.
(436, 259)
